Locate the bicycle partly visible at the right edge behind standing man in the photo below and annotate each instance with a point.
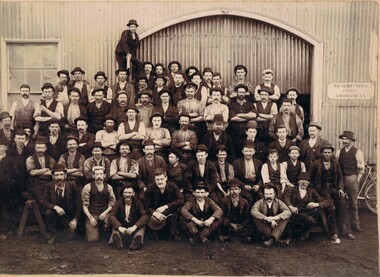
(368, 185)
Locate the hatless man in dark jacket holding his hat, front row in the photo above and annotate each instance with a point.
(163, 201)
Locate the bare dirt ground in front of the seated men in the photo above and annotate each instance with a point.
(31, 254)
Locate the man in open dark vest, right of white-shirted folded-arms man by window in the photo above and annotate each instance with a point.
(73, 110)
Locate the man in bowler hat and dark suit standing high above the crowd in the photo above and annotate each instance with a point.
(126, 49)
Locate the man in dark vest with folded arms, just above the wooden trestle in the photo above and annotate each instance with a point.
(39, 167)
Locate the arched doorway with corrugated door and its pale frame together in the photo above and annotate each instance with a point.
(221, 39)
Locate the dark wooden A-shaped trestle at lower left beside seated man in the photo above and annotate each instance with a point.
(30, 204)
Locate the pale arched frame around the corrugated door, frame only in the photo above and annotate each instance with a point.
(317, 55)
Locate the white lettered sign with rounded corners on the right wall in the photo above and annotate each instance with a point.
(350, 91)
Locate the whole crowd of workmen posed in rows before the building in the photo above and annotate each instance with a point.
(177, 154)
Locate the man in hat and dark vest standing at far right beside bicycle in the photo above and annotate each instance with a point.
(351, 161)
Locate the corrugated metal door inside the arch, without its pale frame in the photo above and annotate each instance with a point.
(221, 42)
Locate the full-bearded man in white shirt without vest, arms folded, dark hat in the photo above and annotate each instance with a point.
(108, 138)
